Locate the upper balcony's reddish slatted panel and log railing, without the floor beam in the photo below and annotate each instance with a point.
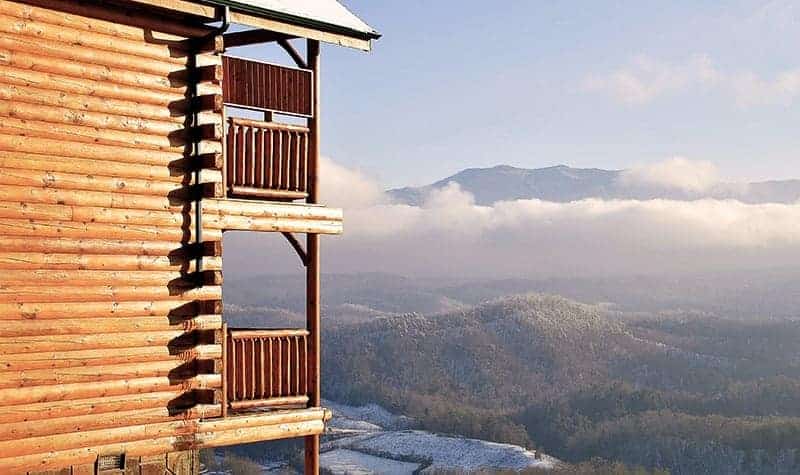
(268, 160)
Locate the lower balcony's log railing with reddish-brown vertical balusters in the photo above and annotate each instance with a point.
(266, 368)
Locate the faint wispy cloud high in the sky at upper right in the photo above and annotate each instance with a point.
(646, 79)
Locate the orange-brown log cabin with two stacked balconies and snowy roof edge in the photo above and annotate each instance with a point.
(130, 141)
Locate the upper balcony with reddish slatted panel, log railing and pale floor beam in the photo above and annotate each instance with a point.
(269, 170)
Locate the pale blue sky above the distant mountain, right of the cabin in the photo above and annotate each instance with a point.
(589, 84)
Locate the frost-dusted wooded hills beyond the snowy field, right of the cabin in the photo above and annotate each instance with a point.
(681, 392)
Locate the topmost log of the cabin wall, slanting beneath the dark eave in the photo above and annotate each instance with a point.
(131, 24)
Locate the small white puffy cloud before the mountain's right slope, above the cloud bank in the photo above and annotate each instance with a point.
(677, 173)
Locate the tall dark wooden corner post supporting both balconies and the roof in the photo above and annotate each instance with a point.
(313, 323)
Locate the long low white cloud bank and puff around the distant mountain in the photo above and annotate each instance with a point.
(449, 235)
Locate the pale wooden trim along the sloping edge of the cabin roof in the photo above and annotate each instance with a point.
(248, 14)
